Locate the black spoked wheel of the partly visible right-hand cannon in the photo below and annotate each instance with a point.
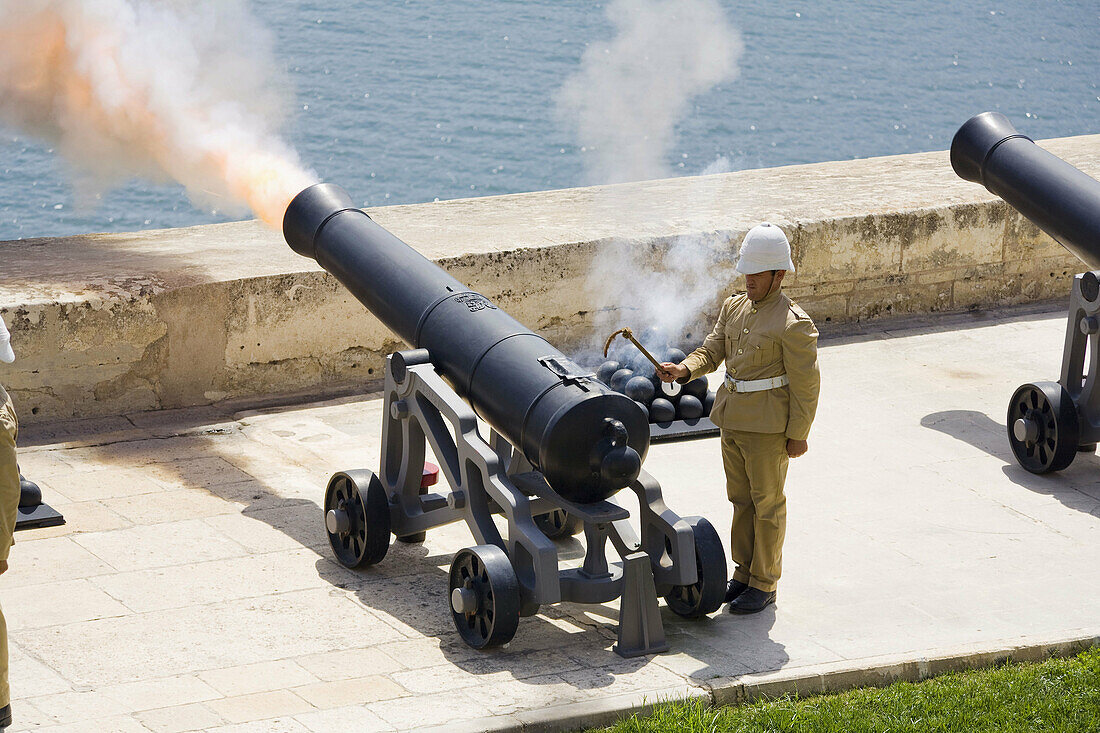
(1049, 411)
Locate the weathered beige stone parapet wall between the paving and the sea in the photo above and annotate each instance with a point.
(113, 324)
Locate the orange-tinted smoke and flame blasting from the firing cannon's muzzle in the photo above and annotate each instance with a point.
(166, 90)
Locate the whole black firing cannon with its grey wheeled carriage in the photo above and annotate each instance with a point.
(562, 445)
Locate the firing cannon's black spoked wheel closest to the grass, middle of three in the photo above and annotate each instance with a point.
(486, 572)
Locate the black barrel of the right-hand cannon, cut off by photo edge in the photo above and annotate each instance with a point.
(1059, 199)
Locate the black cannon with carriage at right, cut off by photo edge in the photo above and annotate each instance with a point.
(1049, 422)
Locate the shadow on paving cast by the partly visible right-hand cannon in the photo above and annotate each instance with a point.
(982, 432)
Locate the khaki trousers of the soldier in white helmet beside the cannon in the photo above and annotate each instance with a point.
(756, 469)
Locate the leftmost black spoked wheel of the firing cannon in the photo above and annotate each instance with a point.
(360, 496)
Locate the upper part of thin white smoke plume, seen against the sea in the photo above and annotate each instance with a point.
(630, 94)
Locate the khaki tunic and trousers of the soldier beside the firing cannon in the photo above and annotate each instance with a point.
(755, 342)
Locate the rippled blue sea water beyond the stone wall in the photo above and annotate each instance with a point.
(405, 102)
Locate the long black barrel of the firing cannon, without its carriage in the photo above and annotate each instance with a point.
(588, 441)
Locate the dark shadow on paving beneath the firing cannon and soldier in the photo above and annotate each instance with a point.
(411, 586)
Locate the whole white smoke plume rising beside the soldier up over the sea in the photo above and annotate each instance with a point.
(625, 104)
